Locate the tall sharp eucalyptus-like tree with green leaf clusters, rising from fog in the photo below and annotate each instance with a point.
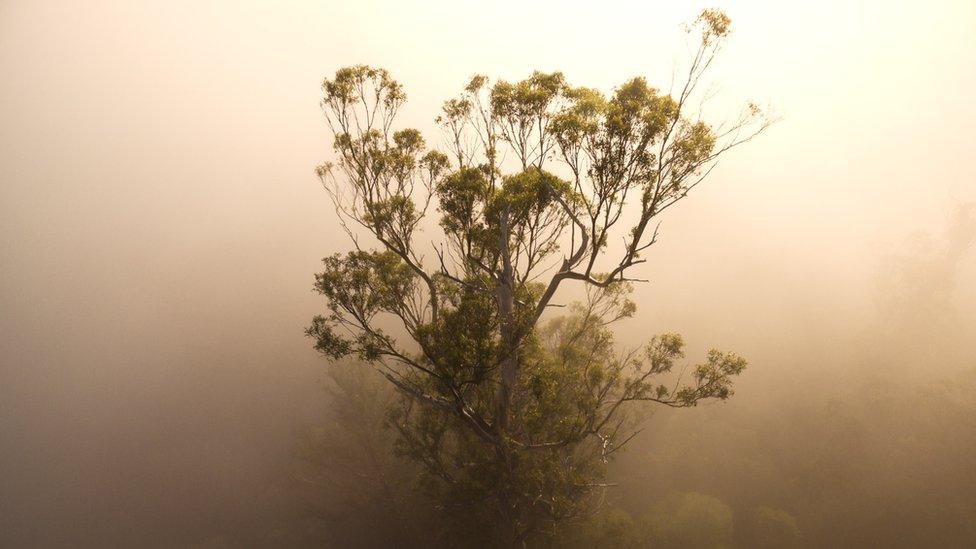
(512, 415)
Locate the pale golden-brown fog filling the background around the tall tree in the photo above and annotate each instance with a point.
(160, 223)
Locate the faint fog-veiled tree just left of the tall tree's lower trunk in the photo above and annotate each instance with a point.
(356, 491)
